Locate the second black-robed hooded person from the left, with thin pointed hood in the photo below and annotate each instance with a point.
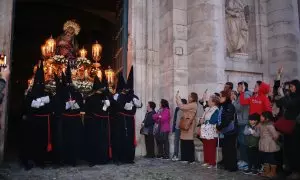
(72, 127)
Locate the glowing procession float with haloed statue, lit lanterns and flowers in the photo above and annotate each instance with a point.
(58, 53)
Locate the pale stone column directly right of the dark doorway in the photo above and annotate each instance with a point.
(143, 55)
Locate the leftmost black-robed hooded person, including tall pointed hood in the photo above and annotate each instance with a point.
(37, 141)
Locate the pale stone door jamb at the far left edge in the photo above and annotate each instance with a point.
(6, 14)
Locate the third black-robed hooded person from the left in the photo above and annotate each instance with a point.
(97, 124)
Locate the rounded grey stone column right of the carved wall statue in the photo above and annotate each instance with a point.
(283, 37)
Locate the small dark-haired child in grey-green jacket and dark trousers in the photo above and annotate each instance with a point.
(252, 138)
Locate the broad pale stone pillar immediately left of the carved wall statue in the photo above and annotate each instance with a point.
(205, 45)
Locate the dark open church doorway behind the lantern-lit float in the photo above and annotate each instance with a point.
(31, 21)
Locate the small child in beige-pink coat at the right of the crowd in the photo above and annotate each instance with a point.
(268, 145)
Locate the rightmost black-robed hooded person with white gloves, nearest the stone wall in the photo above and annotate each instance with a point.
(124, 137)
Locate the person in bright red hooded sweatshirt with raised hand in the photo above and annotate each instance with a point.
(259, 102)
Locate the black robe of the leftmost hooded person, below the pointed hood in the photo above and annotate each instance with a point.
(37, 131)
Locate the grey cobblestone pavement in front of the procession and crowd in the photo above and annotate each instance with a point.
(143, 169)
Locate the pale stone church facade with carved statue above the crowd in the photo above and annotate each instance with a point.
(185, 45)
